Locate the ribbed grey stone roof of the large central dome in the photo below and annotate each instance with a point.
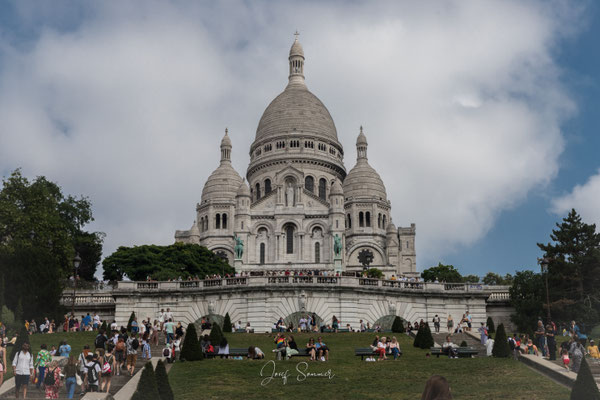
(296, 110)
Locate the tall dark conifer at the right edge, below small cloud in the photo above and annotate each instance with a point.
(574, 270)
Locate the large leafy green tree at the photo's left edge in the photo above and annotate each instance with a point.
(39, 226)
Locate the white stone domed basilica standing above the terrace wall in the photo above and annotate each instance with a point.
(298, 195)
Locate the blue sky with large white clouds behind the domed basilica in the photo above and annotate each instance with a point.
(481, 116)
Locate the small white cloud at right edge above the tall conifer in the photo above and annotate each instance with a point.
(585, 199)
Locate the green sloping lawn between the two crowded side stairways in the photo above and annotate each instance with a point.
(477, 378)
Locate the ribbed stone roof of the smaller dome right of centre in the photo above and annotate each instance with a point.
(364, 182)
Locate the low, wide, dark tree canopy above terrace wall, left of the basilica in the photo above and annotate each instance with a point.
(163, 262)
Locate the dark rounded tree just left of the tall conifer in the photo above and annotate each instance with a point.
(526, 295)
